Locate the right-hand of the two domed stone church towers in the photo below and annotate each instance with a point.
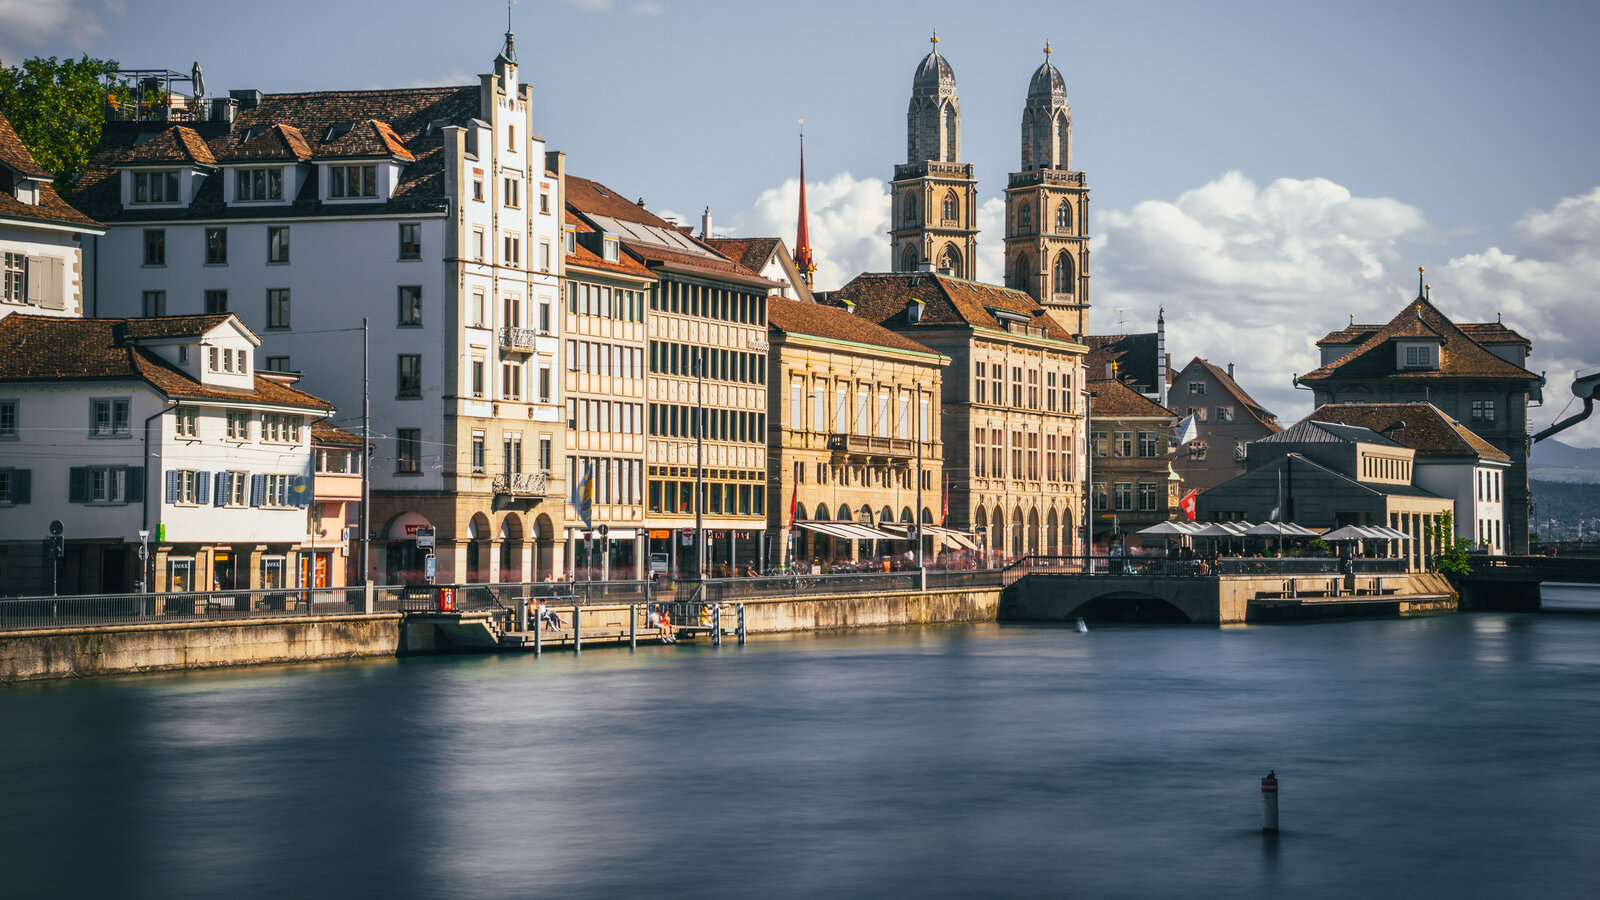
(1047, 207)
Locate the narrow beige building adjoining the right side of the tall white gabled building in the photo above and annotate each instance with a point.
(606, 401)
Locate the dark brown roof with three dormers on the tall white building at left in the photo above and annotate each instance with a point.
(382, 119)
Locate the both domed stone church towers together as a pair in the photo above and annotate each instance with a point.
(935, 219)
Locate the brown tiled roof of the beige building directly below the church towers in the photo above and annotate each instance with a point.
(948, 302)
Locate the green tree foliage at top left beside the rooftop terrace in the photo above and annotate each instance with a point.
(58, 110)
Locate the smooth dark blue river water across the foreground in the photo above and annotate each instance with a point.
(1454, 757)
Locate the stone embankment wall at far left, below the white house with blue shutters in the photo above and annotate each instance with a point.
(41, 656)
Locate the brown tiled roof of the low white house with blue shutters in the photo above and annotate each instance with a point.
(50, 348)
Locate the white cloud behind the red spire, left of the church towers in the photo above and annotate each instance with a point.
(849, 223)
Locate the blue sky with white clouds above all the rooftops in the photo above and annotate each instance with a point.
(1260, 171)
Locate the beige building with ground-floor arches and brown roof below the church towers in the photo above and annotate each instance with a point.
(1012, 412)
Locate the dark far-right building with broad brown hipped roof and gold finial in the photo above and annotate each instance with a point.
(1474, 374)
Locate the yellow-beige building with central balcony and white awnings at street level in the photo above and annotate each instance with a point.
(855, 432)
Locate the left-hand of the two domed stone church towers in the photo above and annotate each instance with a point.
(935, 219)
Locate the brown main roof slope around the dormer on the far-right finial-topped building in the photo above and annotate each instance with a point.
(1460, 356)
